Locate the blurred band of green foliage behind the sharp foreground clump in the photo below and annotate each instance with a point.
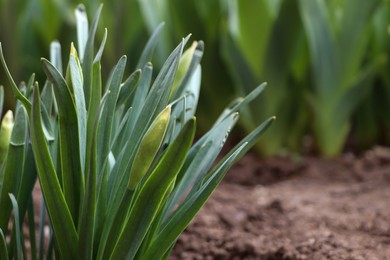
(326, 61)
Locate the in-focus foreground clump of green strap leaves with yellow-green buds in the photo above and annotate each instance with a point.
(119, 174)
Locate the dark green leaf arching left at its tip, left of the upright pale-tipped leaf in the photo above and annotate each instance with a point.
(72, 172)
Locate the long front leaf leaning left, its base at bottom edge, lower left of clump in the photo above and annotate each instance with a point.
(58, 210)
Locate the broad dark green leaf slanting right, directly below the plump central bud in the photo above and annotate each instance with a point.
(148, 201)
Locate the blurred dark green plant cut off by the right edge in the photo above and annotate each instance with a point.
(371, 120)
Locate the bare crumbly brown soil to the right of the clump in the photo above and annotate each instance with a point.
(308, 208)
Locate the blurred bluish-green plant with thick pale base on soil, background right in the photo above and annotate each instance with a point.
(337, 46)
